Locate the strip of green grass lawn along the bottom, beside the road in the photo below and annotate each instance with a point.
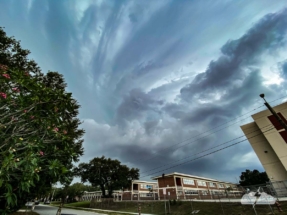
(184, 207)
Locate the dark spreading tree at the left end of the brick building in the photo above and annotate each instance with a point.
(106, 173)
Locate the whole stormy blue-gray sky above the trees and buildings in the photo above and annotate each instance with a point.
(162, 83)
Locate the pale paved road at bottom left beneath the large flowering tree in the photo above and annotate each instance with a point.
(51, 210)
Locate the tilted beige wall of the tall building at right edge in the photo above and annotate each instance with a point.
(269, 146)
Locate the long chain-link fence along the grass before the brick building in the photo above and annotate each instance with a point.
(224, 203)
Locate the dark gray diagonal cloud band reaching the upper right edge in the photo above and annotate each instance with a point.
(238, 55)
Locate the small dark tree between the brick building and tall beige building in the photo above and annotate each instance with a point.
(253, 178)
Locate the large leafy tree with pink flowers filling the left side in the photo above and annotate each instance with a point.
(39, 135)
